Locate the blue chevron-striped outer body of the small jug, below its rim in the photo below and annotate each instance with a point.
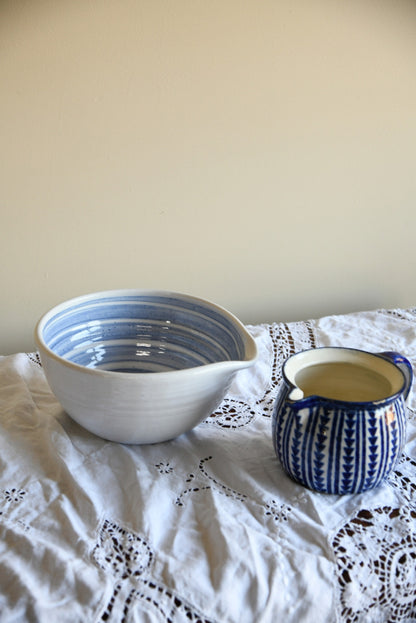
(340, 449)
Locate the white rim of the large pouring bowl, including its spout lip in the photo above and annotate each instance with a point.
(251, 349)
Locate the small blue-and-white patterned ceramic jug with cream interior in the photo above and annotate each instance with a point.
(339, 420)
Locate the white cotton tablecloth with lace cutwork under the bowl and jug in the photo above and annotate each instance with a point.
(205, 528)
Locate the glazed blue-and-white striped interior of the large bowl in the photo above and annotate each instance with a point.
(127, 331)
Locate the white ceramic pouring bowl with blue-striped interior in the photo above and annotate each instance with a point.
(141, 366)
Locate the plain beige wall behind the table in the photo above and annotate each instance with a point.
(260, 154)
